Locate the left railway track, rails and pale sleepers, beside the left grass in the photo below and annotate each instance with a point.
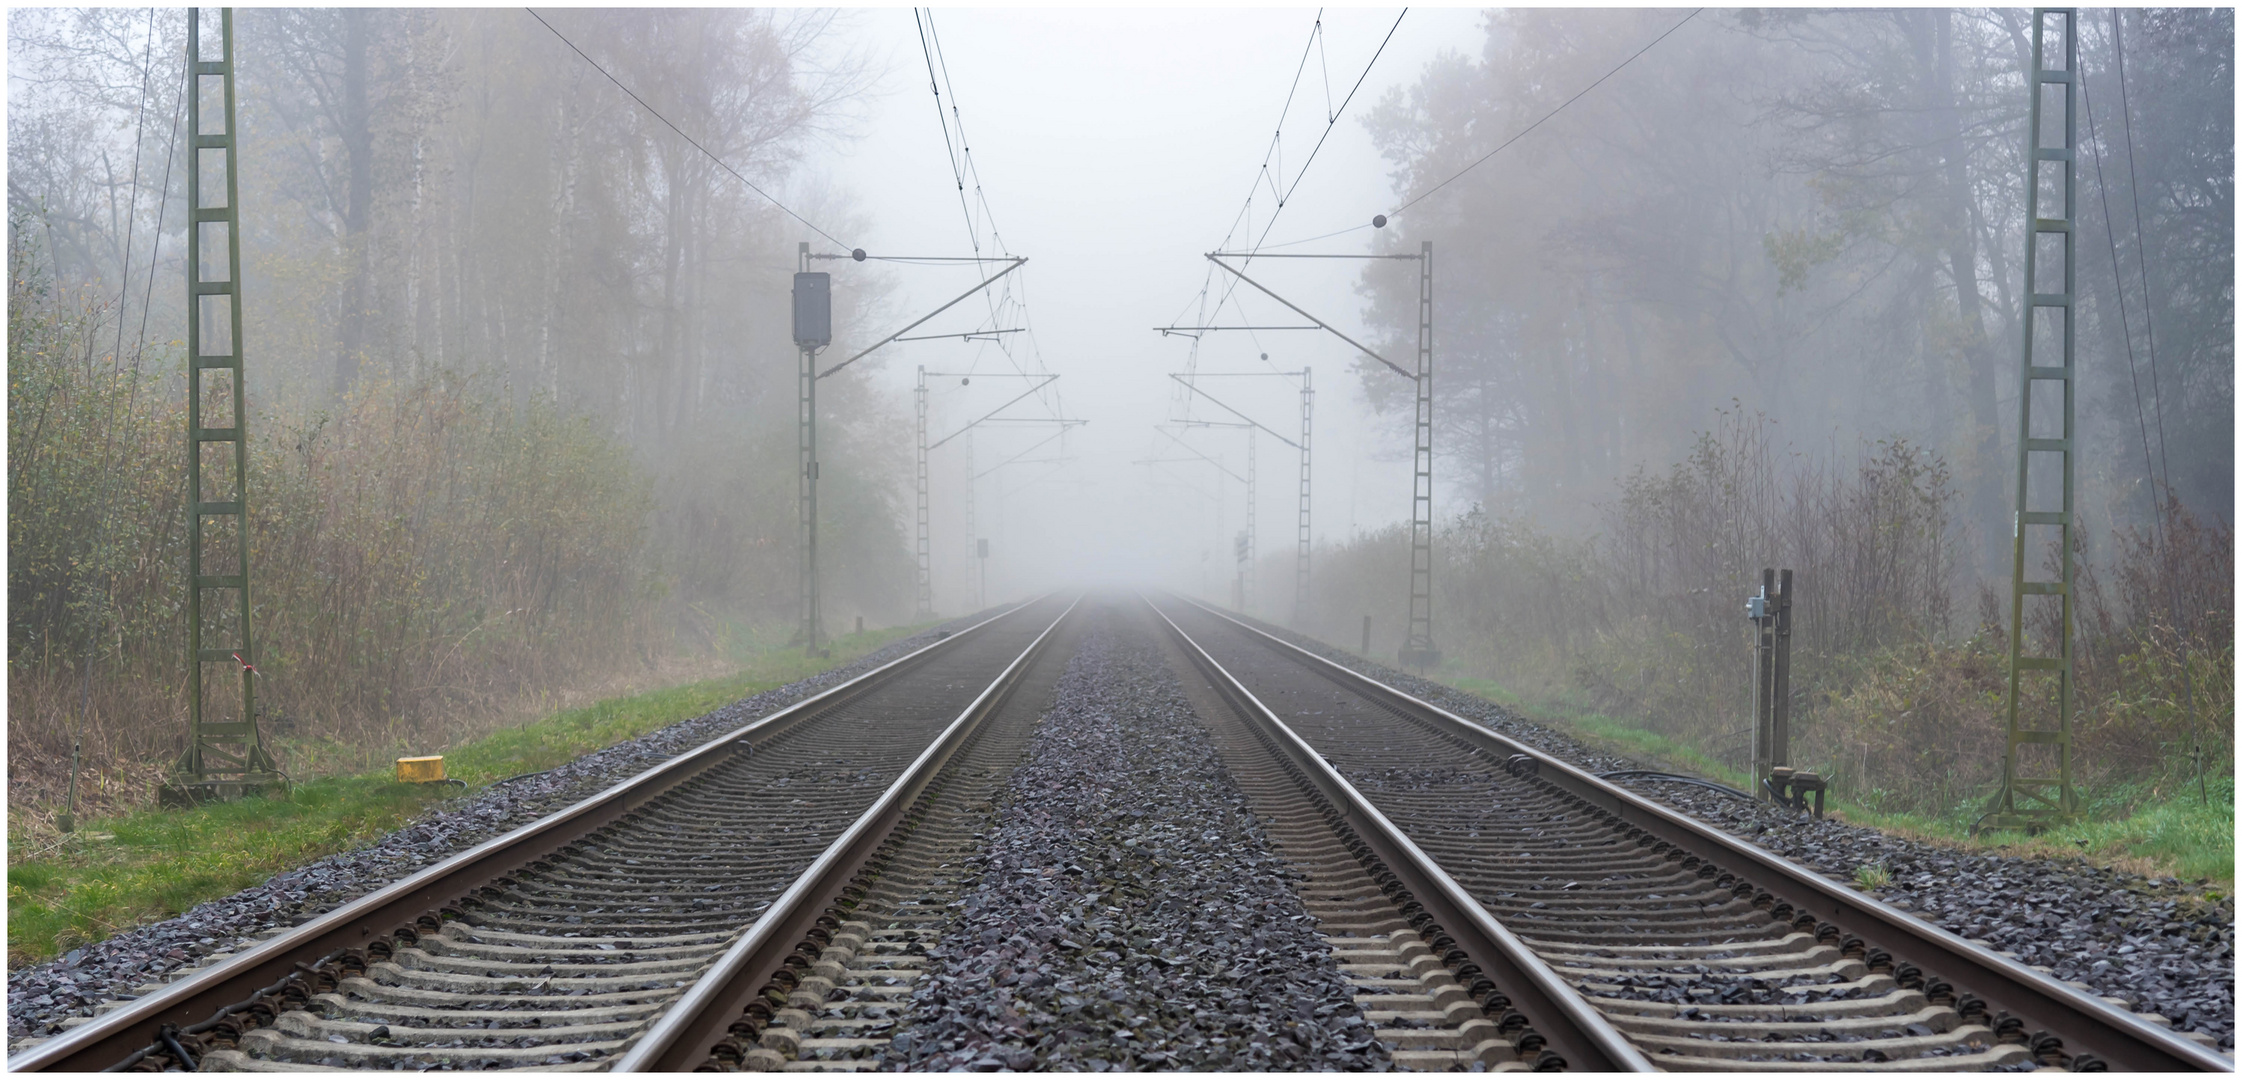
(559, 944)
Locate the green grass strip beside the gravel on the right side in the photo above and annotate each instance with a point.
(2149, 830)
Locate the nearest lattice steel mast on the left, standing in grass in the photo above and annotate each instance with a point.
(225, 752)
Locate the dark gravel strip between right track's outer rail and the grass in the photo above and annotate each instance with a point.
(2153, 942)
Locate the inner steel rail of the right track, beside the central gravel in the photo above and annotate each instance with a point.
(1575, 1030)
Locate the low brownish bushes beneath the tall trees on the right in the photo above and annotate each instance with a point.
(1645, 620)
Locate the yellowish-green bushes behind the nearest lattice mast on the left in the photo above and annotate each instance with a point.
(420, 555)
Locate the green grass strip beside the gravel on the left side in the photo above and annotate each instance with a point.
(147, 866)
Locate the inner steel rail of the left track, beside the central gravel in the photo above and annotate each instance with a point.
(703, 1018)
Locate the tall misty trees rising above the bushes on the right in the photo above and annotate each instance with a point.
(1815, 214)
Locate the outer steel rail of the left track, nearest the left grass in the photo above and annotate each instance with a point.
(138, 1025)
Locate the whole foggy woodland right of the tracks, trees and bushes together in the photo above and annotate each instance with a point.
(1761, 308)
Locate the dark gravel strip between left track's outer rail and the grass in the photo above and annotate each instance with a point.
(41, 996)
